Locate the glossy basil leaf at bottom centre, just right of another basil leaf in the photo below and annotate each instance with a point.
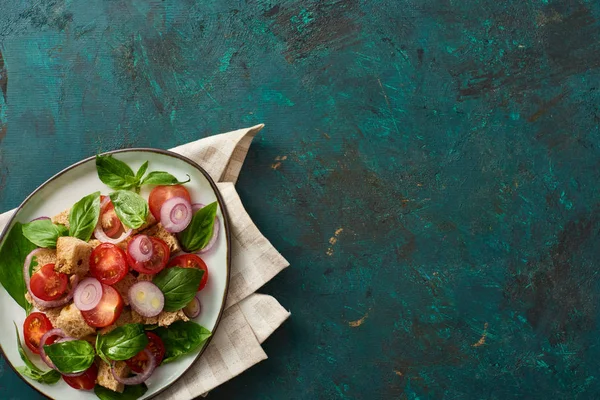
(122, 343)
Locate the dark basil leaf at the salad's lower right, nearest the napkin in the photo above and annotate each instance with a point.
(182, 337)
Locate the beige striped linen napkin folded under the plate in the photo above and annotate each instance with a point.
(249, 318)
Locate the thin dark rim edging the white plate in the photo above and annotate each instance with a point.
(227, 242)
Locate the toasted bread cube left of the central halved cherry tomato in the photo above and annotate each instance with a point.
(73, 255)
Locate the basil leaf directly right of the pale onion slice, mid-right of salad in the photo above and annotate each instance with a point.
(179, 285)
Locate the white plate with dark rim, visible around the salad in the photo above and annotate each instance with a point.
(69, 186)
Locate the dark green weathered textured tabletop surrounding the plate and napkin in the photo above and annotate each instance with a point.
(453, 145)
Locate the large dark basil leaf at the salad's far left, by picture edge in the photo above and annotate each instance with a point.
(13, 252)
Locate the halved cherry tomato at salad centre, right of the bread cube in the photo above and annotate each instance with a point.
(108, 263)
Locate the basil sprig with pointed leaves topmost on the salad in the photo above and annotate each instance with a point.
(117, 175)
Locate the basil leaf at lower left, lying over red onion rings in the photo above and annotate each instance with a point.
(71, 357)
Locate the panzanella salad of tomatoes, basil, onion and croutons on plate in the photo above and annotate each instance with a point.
(114, 280)
